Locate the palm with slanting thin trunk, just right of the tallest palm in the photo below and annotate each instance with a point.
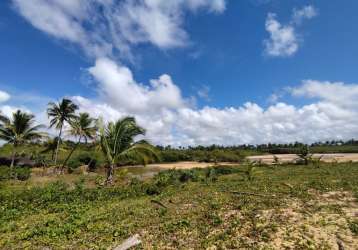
(83, 127)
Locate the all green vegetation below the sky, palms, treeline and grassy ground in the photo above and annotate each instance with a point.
(252, 205)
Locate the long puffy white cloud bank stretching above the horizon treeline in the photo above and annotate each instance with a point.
(332, 113)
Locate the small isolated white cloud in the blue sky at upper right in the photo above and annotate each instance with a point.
(284, 40)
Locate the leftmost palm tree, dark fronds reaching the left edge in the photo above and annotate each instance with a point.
(19, 130)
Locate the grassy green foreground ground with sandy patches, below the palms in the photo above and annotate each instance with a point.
(216, 208)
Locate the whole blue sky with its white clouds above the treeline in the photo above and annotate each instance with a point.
(218, 54)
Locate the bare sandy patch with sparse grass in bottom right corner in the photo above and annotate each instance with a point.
(322, 229)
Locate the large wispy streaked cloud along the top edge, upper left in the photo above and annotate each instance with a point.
(105, 27)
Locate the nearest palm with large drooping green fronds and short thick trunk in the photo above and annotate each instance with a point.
(118, 145)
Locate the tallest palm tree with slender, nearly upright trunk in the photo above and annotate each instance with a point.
(60, 113)
